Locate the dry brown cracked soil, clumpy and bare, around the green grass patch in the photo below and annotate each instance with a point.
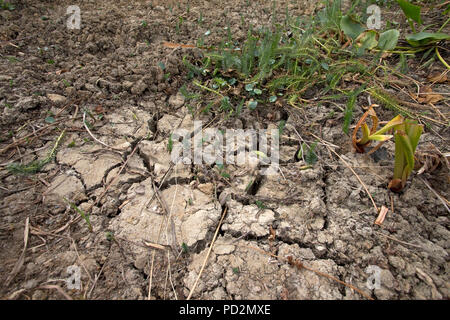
(320, 216)
